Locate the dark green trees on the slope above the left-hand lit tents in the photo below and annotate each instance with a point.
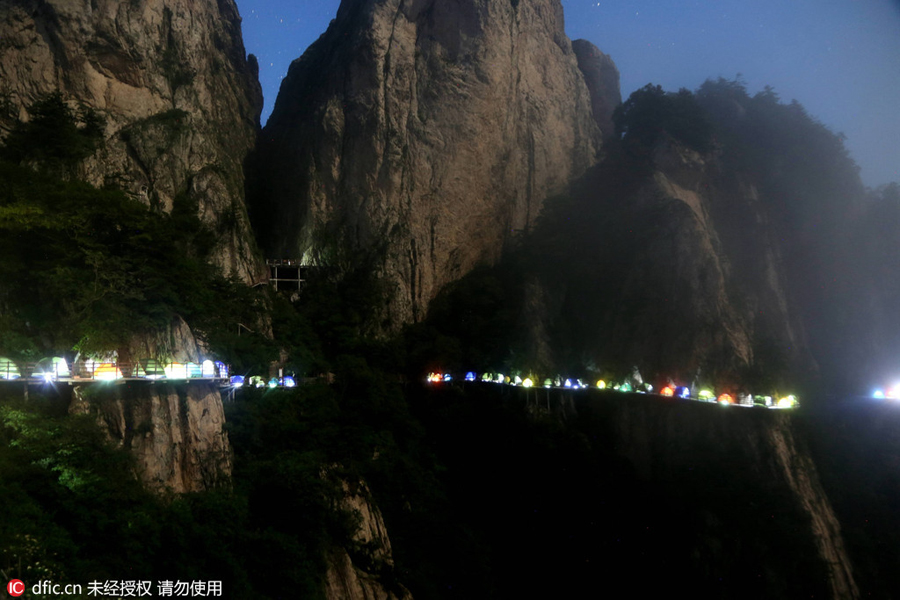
(86, 269)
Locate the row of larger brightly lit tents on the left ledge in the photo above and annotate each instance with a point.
(58, 369)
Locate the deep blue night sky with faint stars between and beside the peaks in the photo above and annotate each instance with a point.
(840, 59)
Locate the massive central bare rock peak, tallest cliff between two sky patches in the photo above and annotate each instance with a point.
(426, 132)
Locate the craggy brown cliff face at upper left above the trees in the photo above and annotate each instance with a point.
(180, 99)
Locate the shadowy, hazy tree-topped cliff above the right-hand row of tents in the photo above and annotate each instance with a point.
(677, 269)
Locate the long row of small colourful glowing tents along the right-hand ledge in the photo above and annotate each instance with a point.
(703, 395)
